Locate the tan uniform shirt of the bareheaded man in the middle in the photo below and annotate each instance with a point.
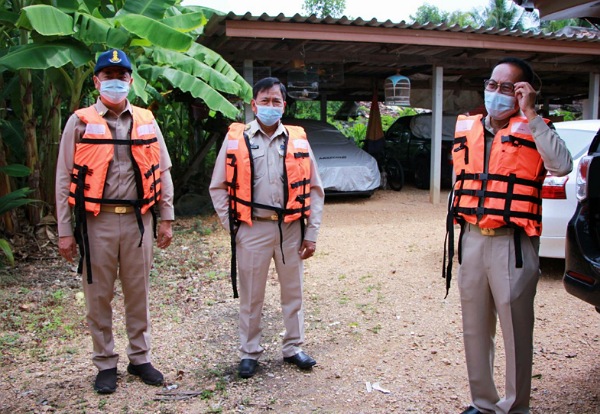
(268, 160)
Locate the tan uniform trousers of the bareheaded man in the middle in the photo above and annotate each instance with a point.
(256, 245)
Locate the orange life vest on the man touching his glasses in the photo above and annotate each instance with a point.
(509, 194)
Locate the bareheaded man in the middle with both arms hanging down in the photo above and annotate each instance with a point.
(268, 194)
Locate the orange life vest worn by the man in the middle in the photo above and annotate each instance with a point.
(239, 170)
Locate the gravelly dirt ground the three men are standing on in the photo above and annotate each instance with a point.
(376, 319)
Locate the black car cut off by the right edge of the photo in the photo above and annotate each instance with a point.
(582, 256)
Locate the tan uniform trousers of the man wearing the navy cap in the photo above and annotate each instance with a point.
(114, 252)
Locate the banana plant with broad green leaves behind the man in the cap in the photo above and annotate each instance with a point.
(41, 41)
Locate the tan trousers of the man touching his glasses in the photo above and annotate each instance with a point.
(491, 286)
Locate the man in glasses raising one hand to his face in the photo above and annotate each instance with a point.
(500, 162)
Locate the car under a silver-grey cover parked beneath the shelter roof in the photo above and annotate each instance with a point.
(345, 169)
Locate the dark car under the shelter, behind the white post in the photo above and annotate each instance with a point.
(408, 140)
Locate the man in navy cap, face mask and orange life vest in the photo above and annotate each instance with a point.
(112, 168)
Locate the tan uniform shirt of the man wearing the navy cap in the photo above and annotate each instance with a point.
(120, 179)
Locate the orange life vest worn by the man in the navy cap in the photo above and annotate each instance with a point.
(95, 151)
